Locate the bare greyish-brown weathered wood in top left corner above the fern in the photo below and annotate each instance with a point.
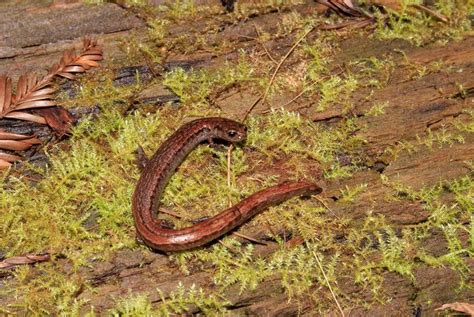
(33, 37)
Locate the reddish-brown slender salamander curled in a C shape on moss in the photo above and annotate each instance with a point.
(163, 164)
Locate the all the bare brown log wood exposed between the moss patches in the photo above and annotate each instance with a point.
(419, 106)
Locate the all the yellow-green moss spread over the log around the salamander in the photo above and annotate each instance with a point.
(79, 209)
